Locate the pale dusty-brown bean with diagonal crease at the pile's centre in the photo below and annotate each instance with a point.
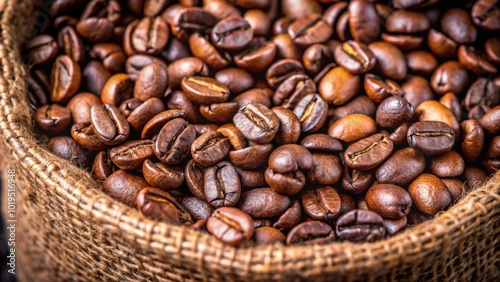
(257, 123)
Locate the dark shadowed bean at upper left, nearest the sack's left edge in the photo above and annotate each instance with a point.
(41, 49)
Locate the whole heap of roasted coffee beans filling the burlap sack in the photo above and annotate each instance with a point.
(294, 121)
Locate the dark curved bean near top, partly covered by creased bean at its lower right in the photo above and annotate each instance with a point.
(190, 20)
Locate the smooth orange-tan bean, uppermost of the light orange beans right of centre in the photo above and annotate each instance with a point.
(338, 86)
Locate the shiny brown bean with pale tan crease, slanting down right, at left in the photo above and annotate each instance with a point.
(109, 124)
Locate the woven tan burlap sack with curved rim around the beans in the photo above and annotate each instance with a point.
(68, 230)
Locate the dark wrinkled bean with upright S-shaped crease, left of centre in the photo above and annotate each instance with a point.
(174, 141)
